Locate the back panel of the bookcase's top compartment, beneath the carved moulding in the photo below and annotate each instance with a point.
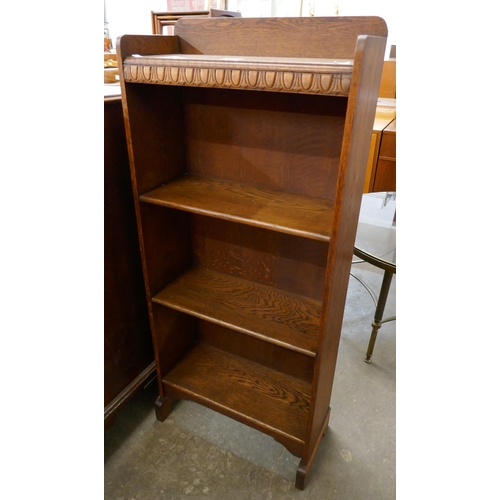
(286, 142)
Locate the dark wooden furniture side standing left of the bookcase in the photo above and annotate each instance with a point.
(128, 348)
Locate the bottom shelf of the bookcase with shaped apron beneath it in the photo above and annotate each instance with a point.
(272, 402)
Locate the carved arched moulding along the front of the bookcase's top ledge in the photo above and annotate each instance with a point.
(328, 79)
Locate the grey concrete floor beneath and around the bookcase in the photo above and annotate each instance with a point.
(198, 453)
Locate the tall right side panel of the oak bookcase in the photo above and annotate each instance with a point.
(359, 122)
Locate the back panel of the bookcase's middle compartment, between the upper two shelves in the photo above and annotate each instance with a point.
(286, 262)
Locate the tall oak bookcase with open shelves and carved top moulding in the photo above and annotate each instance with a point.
(248, 143)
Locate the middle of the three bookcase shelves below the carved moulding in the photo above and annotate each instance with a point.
(264, 312)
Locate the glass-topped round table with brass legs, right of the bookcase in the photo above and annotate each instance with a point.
(376, 244)
